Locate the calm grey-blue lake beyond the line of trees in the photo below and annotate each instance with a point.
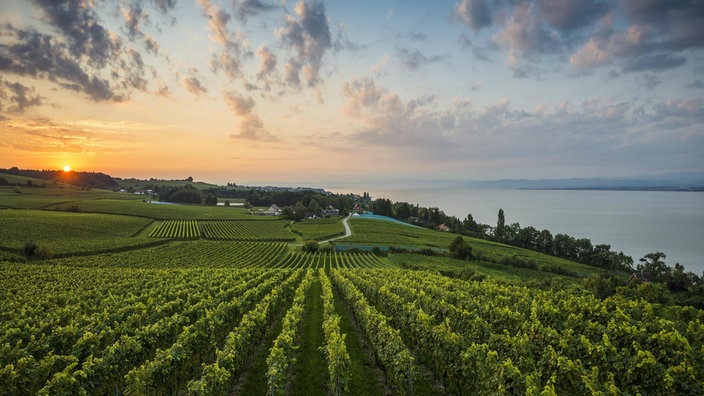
(635, 222)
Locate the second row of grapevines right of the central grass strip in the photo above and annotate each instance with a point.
(385, 341)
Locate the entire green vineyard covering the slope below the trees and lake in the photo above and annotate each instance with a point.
(218, 305)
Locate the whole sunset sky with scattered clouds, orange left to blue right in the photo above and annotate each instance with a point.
(320, 93)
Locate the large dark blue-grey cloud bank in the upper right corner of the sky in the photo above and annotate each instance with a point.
(650, 35)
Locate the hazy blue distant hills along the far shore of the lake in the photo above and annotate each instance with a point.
(687, 181)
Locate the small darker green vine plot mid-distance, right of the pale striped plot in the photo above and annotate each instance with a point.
(253, 230)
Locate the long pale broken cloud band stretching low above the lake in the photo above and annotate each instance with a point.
(606, 132)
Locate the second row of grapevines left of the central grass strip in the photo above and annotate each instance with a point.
(217, 377)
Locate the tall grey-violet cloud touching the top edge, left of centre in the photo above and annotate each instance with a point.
(309, 37)
